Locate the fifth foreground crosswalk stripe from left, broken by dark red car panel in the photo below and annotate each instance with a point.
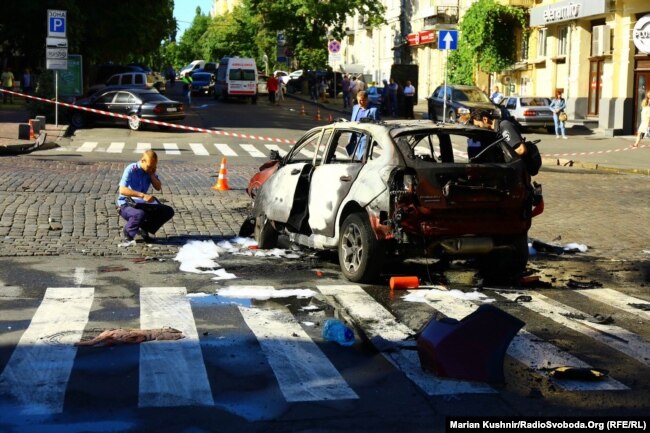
(525, 347)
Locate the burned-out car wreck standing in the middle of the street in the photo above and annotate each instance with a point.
(398, 189)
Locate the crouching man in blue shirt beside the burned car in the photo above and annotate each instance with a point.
(143, 213)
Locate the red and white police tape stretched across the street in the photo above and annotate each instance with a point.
(261, 138)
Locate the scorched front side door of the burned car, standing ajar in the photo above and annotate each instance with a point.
(285, 193)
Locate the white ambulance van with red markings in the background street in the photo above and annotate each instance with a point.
(236, 78)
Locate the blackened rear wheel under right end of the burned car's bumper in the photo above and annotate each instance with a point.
(507, 262)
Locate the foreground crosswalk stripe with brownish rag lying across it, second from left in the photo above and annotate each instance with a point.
(172, 373)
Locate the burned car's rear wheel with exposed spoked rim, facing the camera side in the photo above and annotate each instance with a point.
(360, 253)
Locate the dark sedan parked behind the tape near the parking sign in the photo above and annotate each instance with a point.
(134, 103)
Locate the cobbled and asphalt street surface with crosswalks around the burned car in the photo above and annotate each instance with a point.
(253, 358)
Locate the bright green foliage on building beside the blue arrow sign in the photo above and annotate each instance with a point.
(486, 40)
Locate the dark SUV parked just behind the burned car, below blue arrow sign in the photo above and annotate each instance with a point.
(460, 101)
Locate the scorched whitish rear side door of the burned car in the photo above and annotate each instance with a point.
(334, 174)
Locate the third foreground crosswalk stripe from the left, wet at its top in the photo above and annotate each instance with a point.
(303, 372)
